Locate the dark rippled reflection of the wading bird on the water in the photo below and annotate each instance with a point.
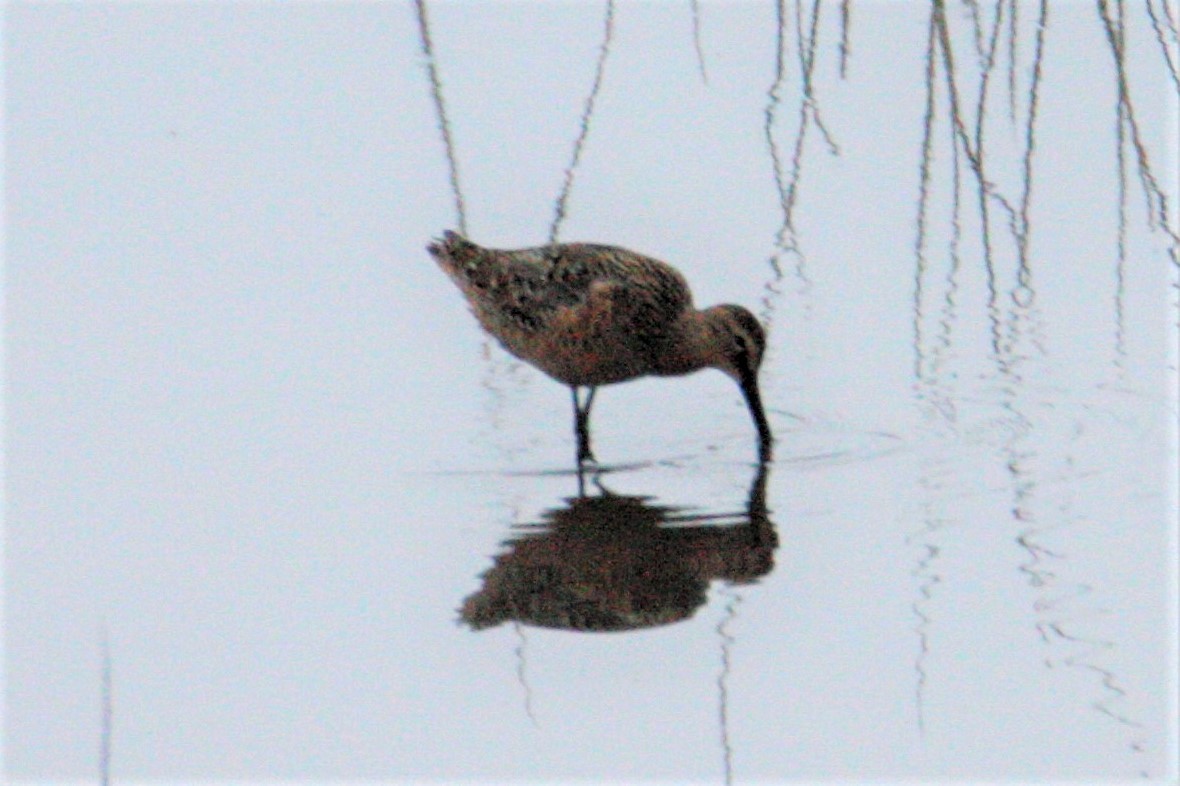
(611, 562)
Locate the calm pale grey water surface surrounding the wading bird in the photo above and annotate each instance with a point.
(255, 436)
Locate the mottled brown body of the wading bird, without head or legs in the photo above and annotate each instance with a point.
(584, 313)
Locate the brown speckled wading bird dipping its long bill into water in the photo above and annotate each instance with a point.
(592, 316)
